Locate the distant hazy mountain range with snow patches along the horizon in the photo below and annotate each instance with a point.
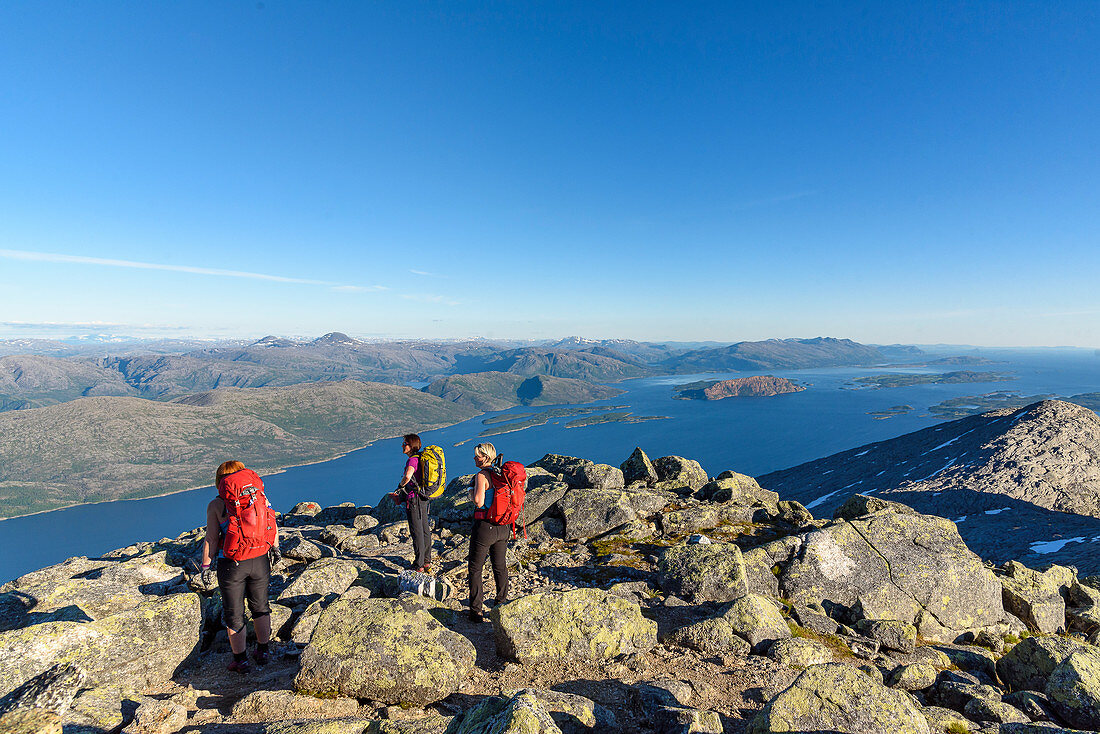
(29, 381)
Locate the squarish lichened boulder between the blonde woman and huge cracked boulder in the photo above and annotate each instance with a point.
(703, 573)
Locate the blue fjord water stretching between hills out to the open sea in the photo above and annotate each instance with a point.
(750, 435)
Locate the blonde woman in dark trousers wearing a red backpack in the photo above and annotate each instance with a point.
(498, 494)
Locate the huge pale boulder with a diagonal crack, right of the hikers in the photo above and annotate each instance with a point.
(894, 566)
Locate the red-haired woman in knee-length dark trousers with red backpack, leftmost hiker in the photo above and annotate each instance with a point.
(243, 541)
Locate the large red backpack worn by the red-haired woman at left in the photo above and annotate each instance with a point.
(251, 522)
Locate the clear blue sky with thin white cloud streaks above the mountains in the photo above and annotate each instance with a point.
(885, 172)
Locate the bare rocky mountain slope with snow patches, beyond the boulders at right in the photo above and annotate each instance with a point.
(1011, 479)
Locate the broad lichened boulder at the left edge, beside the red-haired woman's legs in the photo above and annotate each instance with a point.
(139, 648)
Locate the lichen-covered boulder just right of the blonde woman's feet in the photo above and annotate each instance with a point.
(587, 625)
